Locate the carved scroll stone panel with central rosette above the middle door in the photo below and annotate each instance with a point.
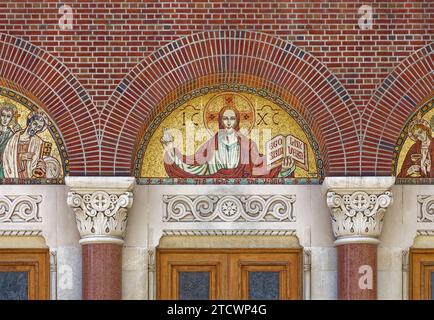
(228, 208)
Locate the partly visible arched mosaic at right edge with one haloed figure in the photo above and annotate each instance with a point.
(413, 160)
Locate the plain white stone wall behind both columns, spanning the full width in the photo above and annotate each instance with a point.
(145, 228)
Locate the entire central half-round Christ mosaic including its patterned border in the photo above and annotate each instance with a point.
(228, 134)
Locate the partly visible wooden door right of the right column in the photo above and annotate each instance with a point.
(422, 274)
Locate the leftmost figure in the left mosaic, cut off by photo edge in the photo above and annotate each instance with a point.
(8, 126)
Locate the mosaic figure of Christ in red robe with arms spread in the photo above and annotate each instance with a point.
(228, 154)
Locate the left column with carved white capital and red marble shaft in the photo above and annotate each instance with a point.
(100, 205)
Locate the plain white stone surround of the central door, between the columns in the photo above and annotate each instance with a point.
(313, 228)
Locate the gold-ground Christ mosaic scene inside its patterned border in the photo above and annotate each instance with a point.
(229, 135)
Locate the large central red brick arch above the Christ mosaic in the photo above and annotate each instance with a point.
(327, 107)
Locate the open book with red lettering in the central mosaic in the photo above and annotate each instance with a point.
(280, 147)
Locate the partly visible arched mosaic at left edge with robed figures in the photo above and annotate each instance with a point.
(31, 148)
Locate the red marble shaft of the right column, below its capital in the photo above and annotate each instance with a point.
(357, 271)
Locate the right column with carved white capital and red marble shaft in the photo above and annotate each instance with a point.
(358, 206)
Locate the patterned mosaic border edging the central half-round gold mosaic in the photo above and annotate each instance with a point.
(225, 88)
